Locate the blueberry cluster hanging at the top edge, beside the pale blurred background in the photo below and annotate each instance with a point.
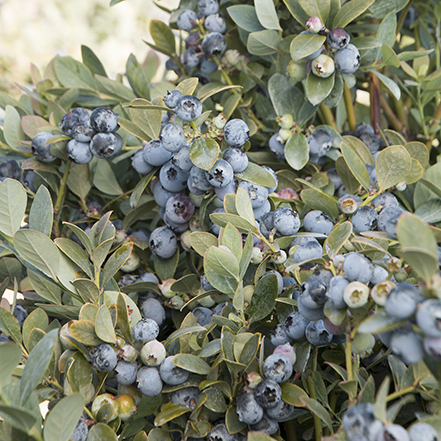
(205, 40)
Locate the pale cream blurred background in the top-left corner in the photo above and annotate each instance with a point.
(34, 31)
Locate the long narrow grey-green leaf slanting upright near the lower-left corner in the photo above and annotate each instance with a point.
(37, 364)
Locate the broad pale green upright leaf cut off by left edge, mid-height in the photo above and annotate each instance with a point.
(13, 201)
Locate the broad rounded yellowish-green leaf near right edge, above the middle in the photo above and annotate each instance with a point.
(392, 165)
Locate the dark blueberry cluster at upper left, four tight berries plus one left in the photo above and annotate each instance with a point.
(92, 135)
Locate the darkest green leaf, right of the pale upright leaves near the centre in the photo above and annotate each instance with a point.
(264, 298)
